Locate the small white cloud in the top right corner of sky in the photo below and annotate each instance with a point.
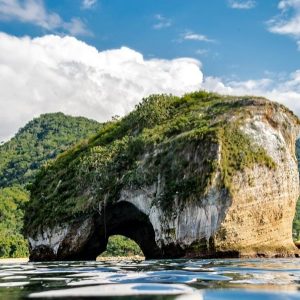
(288, 22)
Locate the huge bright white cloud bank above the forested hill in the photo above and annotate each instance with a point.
(53, 73)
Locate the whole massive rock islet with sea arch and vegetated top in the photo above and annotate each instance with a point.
(199, 176)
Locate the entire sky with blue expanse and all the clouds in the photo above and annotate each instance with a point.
(99, 58)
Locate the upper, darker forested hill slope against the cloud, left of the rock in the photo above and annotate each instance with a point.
(40, 140)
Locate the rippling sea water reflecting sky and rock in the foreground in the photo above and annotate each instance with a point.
(155, 279)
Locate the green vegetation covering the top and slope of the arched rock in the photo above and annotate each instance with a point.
(153, 143)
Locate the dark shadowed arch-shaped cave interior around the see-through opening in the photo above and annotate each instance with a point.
(123, 219)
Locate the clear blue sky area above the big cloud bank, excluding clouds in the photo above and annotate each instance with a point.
(242, 45)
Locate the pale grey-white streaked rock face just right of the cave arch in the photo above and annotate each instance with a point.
(193, 222)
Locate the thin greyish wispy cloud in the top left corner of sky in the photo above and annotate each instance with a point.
(35, 12)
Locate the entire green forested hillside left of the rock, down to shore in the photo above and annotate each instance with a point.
(41, 140)
